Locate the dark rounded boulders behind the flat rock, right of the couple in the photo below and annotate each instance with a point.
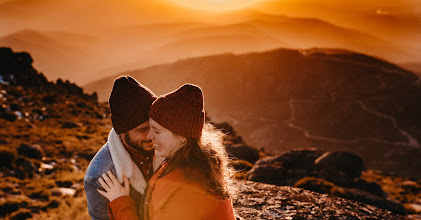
(336, 173)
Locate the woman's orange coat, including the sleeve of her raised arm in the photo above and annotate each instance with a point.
(175, 197)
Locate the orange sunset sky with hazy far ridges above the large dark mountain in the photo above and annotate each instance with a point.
(75, 30)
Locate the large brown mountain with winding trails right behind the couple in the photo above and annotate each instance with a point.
(285, 99)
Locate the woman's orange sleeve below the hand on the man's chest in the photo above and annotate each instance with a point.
(122, 208)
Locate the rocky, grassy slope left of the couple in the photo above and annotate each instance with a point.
(49, 131)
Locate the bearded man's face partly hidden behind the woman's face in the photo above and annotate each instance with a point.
(137, 137)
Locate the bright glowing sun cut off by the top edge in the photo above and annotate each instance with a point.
(215, 5)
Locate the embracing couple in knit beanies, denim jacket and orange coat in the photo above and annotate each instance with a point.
(161, 160)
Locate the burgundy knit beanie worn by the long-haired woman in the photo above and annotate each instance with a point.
(181, 111)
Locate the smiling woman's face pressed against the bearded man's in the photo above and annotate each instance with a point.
(165, 142)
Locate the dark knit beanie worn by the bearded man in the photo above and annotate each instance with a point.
(129, 102)
